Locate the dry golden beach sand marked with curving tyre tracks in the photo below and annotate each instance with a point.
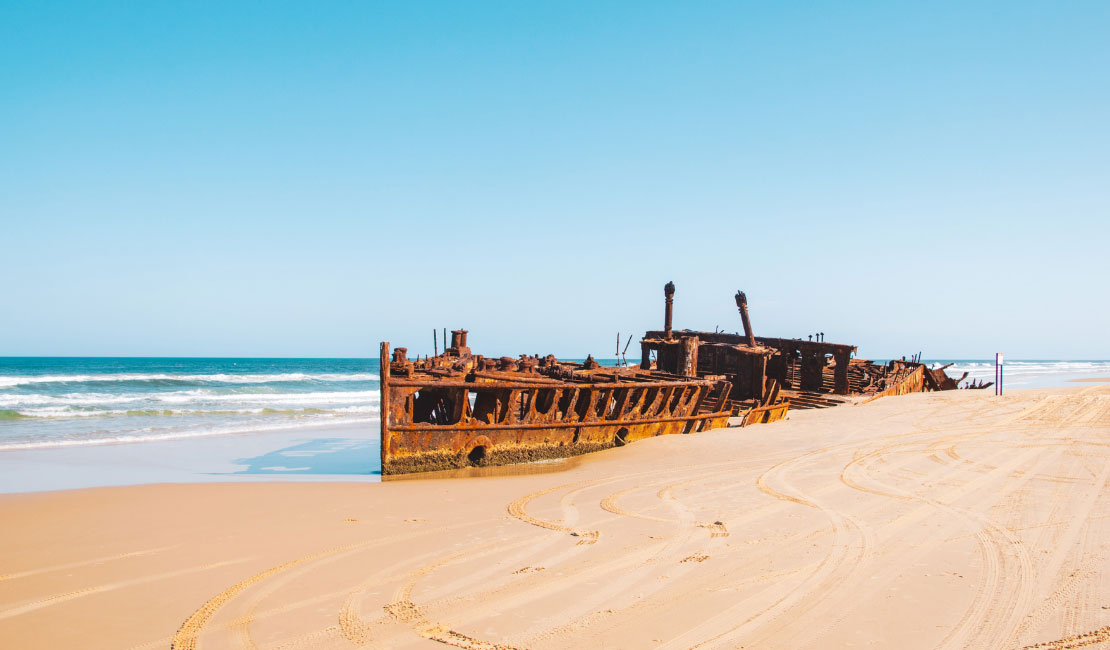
(934, 521)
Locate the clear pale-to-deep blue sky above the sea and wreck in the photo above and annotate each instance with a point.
(309, 179)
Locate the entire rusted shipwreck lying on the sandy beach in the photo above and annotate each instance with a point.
(458, 410)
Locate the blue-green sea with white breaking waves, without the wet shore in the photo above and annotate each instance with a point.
(78, 402)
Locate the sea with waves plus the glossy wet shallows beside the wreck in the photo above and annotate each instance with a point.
(78, 423)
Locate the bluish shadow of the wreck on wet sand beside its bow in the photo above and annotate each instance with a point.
(321, 456)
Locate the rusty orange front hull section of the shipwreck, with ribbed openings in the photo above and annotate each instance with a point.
(457, 410)
